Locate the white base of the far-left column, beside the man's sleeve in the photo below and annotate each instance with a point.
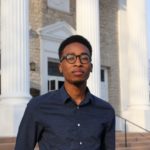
(11, 112)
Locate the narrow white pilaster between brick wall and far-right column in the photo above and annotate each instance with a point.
(123, 54)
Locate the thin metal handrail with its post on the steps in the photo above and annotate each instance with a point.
(125, 128)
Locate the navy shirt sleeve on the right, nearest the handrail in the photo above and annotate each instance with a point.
(108, 141)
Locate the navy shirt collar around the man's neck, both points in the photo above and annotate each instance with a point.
(65, 97)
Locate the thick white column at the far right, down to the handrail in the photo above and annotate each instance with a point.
(139, 106)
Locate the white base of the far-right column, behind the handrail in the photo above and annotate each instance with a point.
(138, 116)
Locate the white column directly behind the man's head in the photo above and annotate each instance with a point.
(88, 25)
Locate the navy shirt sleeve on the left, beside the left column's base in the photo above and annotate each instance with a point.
(29, 130)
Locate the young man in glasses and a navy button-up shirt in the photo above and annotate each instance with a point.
(70, 118)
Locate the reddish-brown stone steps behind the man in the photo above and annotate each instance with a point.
(136, 141)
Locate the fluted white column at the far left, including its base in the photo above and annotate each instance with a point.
(15, 64)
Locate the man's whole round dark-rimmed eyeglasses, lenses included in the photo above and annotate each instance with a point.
(71, 58)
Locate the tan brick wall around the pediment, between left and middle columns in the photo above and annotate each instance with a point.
(40, 15)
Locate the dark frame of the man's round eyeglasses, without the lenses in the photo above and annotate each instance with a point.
(75, 56)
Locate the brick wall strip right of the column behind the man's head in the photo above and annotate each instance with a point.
(109, 47)
